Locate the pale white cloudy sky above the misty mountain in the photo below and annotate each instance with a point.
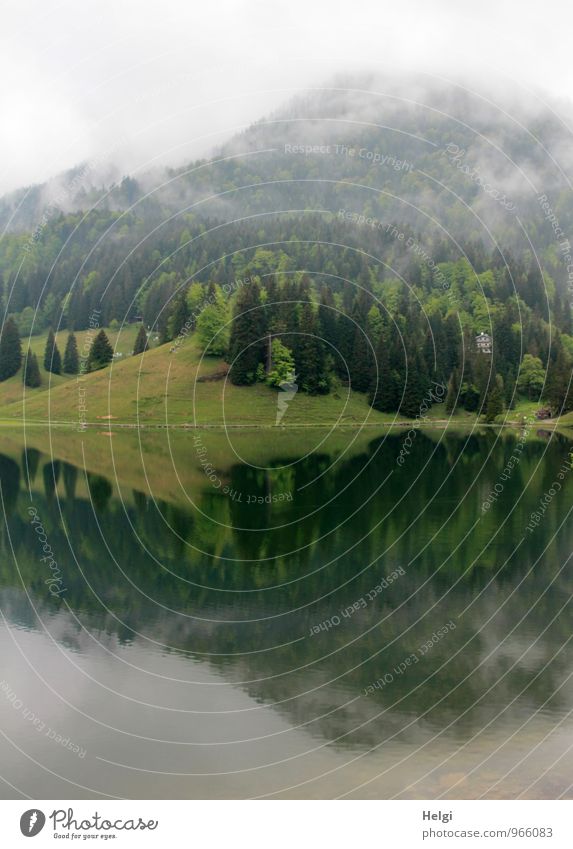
(134, 81)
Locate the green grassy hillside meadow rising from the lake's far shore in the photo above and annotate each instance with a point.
(164, 386)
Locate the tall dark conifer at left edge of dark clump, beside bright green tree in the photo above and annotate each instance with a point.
(247, 340)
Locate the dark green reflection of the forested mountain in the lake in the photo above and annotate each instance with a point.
(277, 596)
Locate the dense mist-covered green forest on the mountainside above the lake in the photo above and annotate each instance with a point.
(354, 247)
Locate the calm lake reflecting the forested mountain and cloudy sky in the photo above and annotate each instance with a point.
(286, 614)
